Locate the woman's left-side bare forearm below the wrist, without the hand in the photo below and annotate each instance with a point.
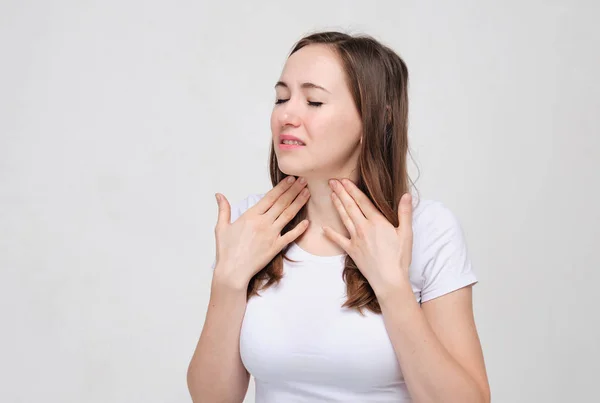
(216, 372)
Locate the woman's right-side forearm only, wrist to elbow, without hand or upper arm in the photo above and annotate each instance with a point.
(432, 375)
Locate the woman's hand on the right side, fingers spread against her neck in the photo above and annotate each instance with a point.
(382, 252)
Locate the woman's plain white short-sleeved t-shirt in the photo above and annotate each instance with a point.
(301, 346)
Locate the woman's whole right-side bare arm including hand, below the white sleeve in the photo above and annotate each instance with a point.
(436, 343)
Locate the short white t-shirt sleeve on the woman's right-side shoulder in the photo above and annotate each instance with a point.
(448, 266)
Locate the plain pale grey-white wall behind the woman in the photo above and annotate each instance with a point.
(119, 120)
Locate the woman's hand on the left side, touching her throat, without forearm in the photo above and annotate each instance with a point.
(245, 246)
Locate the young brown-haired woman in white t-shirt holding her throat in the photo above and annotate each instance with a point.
(341, 285)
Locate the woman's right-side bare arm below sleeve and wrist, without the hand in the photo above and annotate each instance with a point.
(437, 346)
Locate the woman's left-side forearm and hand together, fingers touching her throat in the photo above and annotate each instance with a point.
(216, 373)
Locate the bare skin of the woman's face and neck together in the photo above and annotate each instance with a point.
(331, 133)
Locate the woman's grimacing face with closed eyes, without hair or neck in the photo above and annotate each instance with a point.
(324, 119)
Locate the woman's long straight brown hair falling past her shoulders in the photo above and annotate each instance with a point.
(378, 81)
